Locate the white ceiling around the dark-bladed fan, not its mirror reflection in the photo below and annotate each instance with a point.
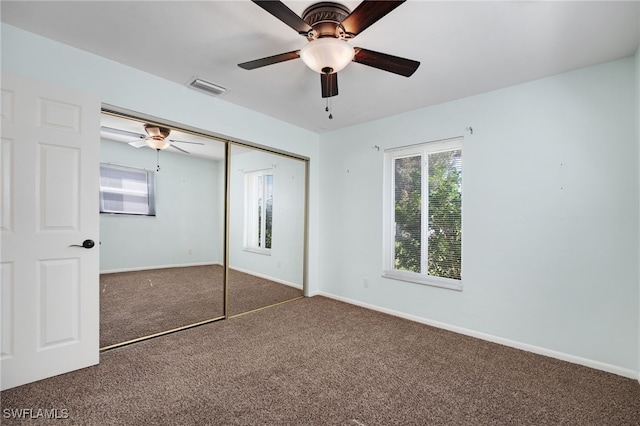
(465, 48)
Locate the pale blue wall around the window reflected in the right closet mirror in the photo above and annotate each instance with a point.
(285, 263)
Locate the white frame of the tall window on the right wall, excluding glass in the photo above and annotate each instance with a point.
(424, 150)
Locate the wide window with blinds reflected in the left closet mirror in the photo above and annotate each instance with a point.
(127, 190)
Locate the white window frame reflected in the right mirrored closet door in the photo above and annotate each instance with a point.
(251, 215)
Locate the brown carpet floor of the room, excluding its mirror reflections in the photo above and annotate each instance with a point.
(317, 361)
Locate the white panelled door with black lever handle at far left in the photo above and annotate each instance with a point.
(49, 171)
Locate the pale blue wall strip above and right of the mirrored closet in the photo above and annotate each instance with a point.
(32, 56)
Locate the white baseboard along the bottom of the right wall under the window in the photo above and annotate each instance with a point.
(632, 374)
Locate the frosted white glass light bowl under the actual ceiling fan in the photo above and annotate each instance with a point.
(327, 53)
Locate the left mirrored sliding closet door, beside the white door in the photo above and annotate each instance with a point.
(162, 197)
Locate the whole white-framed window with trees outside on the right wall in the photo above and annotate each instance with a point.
(423, 214)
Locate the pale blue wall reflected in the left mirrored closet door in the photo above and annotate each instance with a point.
(187, 228)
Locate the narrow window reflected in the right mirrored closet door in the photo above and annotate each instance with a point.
(258, 210)
